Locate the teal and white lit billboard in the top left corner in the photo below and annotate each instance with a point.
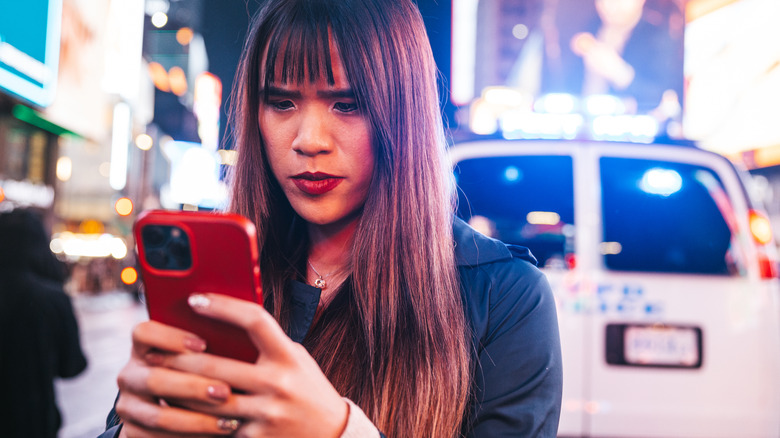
(29, 48)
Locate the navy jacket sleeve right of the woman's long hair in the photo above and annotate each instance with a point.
(518, 375)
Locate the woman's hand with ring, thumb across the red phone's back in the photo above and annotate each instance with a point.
(283, 394)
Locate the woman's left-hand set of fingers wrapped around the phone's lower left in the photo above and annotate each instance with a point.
(149, 394)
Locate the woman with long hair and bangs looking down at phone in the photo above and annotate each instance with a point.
(407, 324)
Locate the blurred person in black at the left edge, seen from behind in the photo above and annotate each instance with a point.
(39, 337)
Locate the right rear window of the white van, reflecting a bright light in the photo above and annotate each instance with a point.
(666, 217)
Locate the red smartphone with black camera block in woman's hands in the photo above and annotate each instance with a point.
(185, 252)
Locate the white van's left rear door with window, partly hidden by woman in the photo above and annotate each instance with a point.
(529, 200)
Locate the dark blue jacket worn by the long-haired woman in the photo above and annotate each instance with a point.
(518, 380)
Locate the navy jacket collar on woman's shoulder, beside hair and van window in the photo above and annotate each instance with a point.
(473, 248)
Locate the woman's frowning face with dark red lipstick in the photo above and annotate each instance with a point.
(318, 143)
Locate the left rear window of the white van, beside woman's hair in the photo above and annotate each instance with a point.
(523, 200)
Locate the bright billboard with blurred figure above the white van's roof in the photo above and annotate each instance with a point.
(508, 54)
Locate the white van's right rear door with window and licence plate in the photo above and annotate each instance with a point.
(686, 333)
